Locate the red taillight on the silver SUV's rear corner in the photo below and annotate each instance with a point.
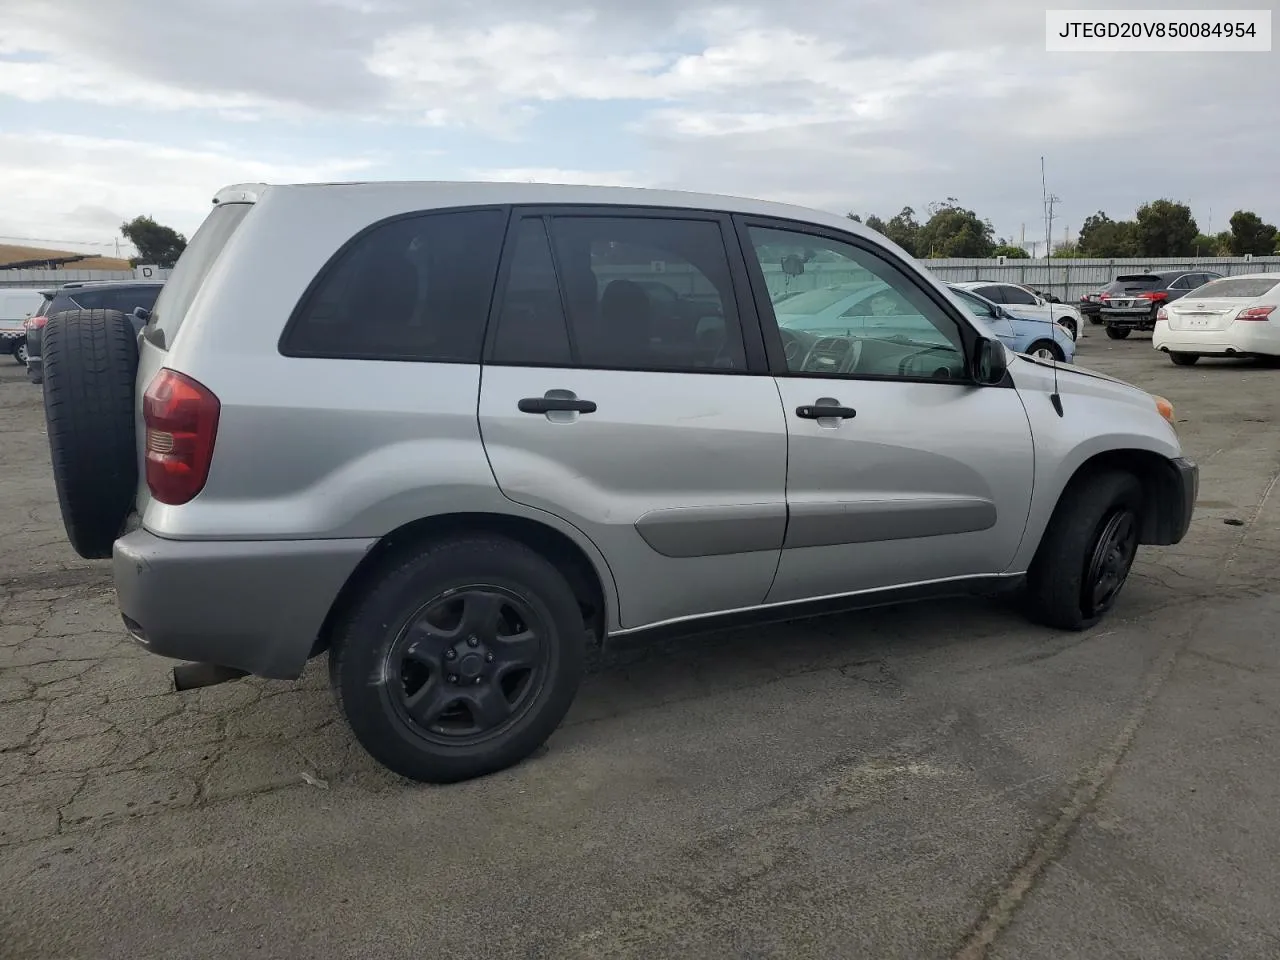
(181, 418)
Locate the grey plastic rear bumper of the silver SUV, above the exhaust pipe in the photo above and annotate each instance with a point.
(250, 605)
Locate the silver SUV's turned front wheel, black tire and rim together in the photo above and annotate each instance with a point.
(1063, 579)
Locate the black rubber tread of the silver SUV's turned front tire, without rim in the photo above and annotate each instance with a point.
(1057, 575)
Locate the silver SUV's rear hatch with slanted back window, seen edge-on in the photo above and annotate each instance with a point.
(172, 307)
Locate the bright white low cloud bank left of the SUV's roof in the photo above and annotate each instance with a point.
(63, 186)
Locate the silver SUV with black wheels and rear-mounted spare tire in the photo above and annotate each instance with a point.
(455, 433)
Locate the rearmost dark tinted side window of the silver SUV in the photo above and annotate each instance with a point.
(414, 289)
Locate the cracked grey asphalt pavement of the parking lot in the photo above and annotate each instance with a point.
(927, 781)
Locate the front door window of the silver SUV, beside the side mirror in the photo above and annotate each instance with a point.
(884, 323)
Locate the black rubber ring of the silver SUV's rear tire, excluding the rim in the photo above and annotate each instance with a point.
(368, 620)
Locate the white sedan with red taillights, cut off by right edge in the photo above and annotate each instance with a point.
(1231, 318)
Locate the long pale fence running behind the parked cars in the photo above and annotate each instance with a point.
(1067, 280)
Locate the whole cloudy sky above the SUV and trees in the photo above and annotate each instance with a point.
(111, 109)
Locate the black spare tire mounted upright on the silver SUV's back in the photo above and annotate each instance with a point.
(90, 365)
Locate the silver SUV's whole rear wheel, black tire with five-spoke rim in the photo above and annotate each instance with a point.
(381, 676)
